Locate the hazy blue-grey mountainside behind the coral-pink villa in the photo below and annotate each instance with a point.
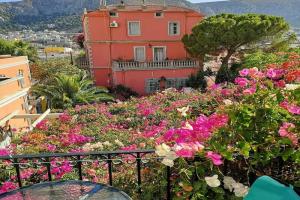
(65, 14)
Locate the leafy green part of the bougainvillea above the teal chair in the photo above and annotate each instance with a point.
(253, 134)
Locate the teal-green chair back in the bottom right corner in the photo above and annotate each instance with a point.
(266, 188)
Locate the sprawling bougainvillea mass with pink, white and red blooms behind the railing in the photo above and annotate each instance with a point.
(216, 143)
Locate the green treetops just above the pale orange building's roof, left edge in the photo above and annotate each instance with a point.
(18, 48)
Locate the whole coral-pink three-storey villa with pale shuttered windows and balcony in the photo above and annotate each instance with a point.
(139, 46)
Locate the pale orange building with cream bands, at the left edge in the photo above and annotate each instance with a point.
(15, 82)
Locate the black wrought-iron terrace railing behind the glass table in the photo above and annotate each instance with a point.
(138, 158)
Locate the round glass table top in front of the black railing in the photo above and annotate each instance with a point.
(67, 190)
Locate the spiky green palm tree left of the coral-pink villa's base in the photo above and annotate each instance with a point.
(67, 91)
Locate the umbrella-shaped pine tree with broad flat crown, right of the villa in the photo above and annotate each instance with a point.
(229, 32)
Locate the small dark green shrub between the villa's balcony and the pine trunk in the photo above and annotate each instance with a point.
(197, 81)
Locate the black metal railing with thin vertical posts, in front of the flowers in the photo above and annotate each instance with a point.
(136, 156)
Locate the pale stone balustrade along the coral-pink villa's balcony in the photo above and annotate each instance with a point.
(166, 64)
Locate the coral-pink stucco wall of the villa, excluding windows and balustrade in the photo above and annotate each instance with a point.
(106, 44)
